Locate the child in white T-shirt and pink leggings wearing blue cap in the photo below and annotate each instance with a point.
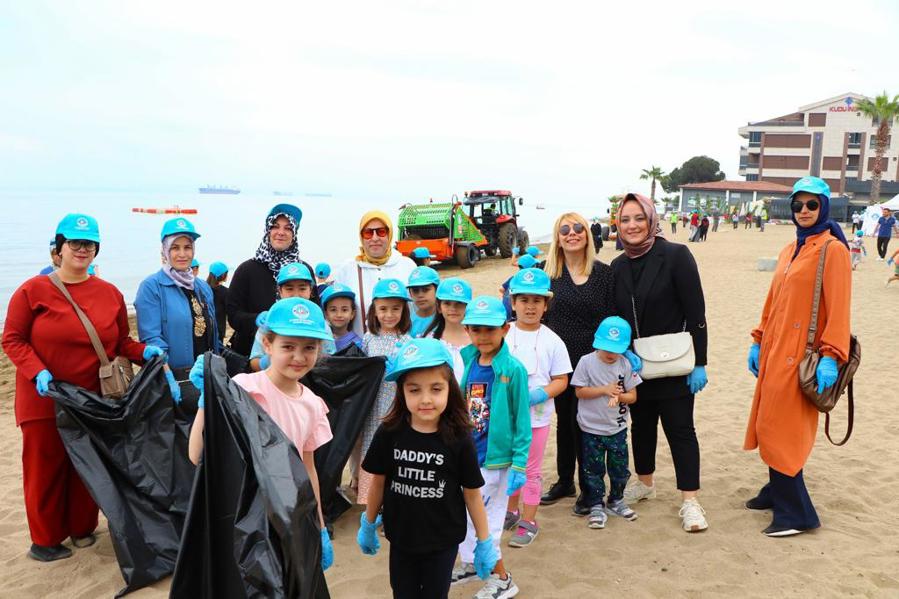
(545, 357)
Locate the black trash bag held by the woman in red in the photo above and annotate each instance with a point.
(132, 456)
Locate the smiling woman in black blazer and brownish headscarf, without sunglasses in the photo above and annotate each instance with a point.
(658, 291)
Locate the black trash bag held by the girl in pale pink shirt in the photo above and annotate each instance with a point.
(252, 527)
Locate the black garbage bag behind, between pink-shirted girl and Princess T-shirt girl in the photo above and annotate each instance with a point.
(349, 386)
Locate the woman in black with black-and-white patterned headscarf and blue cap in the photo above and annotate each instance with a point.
(253, 287)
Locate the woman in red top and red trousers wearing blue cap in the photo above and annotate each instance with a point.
(45, 340)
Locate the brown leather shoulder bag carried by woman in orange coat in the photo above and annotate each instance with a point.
(808, 381)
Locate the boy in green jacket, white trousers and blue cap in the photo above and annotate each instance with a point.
(496, 387)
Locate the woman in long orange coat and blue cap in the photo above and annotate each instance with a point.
(783, 423)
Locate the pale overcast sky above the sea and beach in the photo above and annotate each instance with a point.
(400, 100)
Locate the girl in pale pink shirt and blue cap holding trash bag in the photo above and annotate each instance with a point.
(293, 335)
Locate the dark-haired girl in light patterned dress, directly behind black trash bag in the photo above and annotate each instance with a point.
(388, 328)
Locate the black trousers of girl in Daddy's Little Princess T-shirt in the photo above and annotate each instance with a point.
(421, 575)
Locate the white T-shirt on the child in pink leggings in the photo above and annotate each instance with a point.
(544, 356)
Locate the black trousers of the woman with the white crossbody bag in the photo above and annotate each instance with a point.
(676, 415)
